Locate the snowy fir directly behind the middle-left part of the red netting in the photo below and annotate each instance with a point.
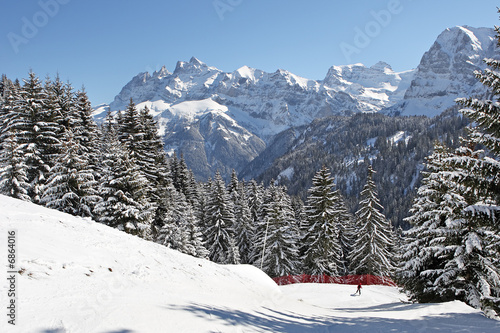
(323, 251)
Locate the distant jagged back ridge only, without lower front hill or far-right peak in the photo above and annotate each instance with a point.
(265, 103)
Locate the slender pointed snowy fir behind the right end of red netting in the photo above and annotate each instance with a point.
(372, 251)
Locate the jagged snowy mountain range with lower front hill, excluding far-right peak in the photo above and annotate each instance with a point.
(220, 121)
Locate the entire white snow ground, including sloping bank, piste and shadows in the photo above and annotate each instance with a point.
(81, 276)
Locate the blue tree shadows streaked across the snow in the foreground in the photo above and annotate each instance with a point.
(270, 320)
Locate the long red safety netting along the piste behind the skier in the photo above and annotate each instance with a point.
(348, 279)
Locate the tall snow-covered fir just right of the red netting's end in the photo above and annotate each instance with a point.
(425, 251)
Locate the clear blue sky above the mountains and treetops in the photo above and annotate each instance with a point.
(103, 44)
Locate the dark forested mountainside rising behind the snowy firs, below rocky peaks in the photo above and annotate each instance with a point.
(346, 144)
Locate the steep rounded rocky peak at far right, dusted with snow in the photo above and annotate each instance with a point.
(446, 71)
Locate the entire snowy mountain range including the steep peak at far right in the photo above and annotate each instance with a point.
(222, 120)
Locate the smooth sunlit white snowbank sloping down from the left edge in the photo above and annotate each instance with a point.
(81, 276)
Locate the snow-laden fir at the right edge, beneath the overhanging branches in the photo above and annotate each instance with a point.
(473, 273)
